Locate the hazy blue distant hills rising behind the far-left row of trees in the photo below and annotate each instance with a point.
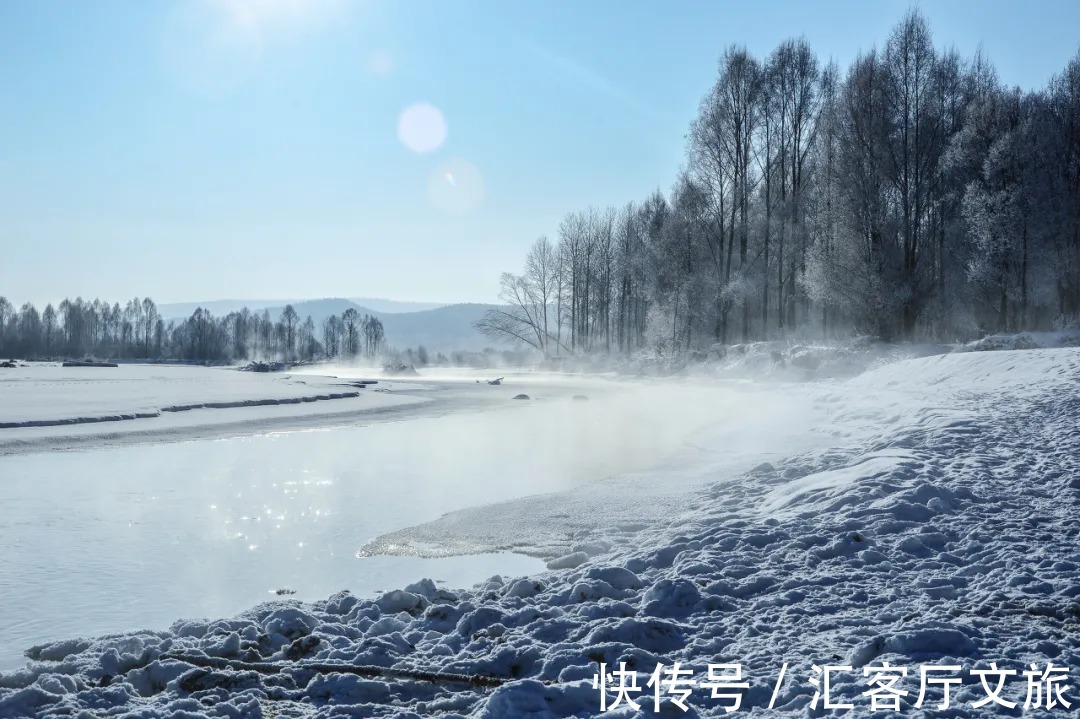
(441, 329)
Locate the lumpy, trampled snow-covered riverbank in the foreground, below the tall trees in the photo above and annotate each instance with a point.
(924, 513)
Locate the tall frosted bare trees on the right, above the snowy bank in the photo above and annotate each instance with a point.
(913, 196)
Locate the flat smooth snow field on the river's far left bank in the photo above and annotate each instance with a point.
(49, 408)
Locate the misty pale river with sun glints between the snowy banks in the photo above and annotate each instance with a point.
(128, 532)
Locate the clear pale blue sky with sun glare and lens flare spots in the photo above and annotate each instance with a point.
(210, 150)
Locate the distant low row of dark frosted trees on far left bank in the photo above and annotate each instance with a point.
(138, 331)
